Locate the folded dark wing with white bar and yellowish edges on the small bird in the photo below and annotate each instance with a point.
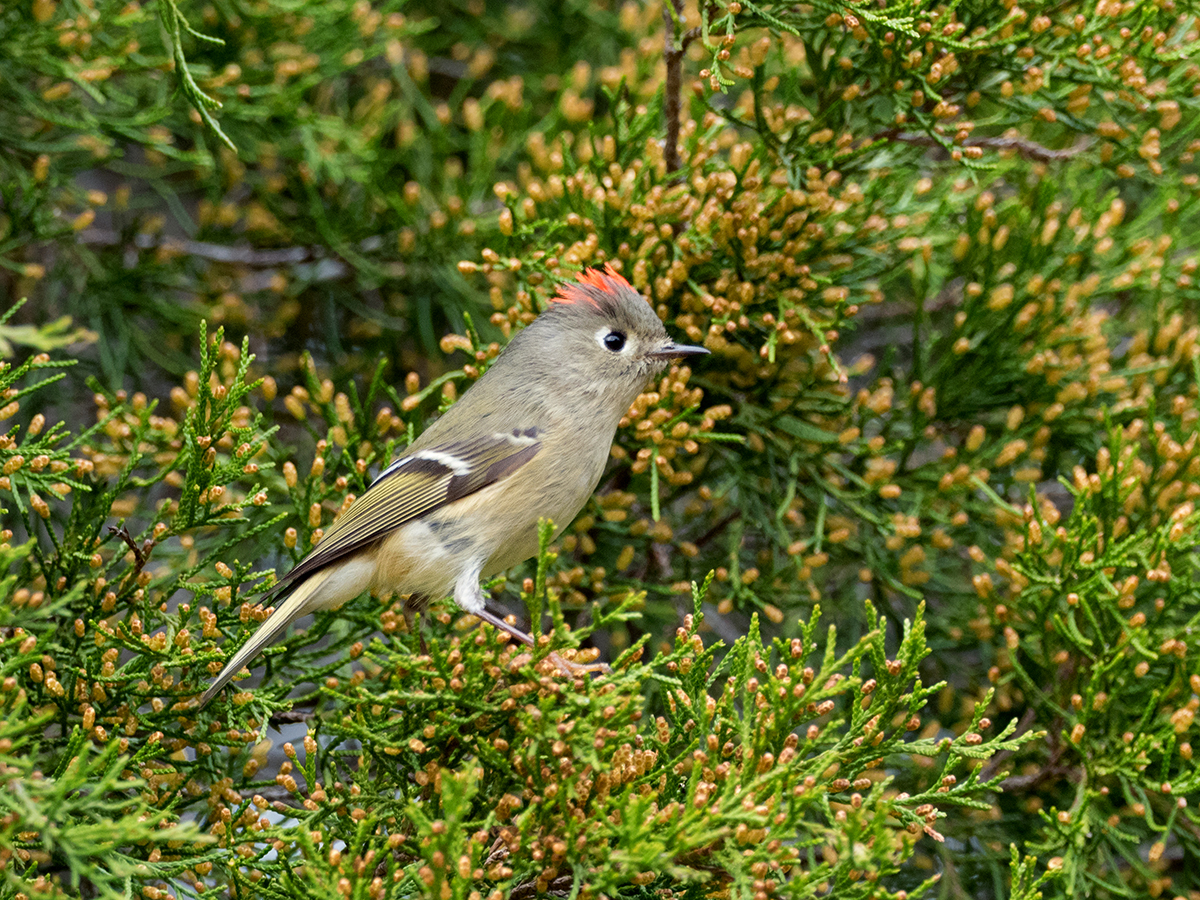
(418, 484)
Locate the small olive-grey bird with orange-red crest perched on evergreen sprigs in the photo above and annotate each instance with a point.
(530, 441)
